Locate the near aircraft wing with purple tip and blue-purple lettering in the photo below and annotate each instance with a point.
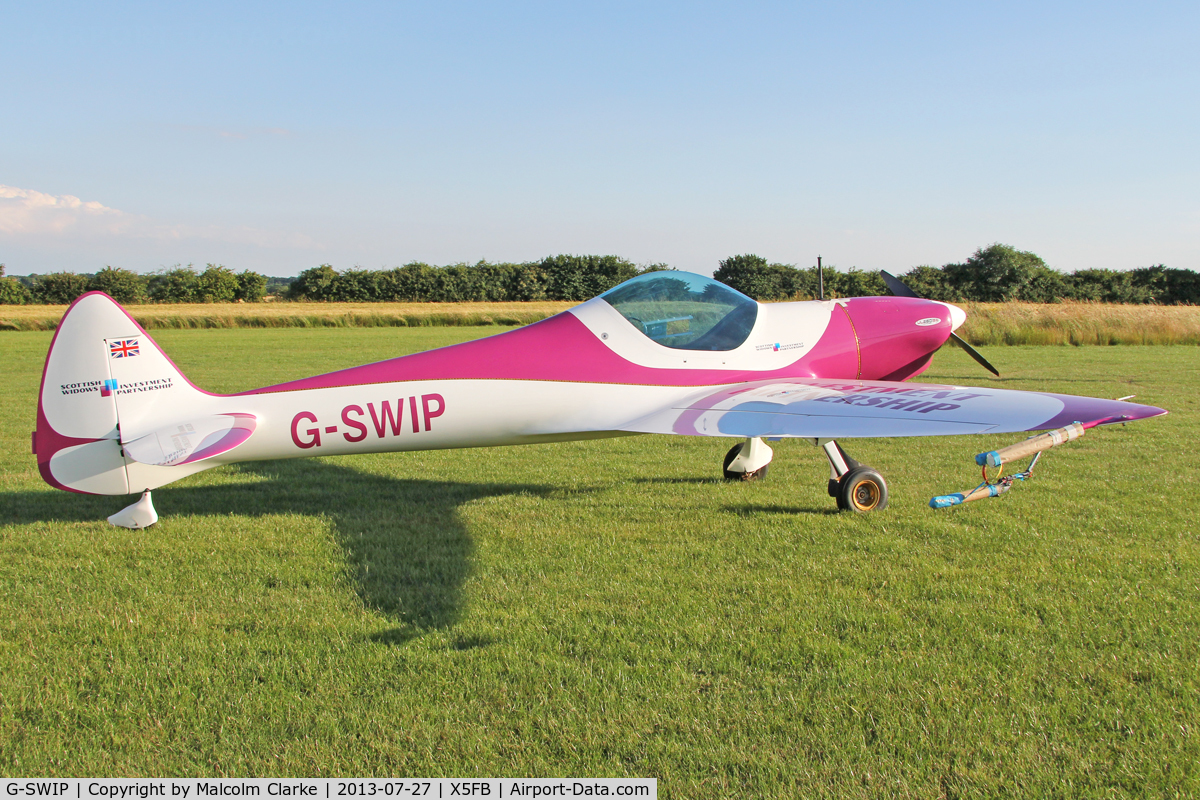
(845, 410)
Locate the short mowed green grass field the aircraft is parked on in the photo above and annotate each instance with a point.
(613, 609)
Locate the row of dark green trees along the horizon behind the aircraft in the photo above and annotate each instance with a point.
(994, 274)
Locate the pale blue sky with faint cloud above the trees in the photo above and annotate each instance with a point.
(883, 136)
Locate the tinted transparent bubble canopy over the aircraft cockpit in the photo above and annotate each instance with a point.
(686, 311)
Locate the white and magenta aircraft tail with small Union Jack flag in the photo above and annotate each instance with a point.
(110, 396)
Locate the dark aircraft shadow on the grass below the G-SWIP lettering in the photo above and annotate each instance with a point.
(407, 549)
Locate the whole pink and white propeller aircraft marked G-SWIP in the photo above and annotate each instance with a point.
(664, 353)
